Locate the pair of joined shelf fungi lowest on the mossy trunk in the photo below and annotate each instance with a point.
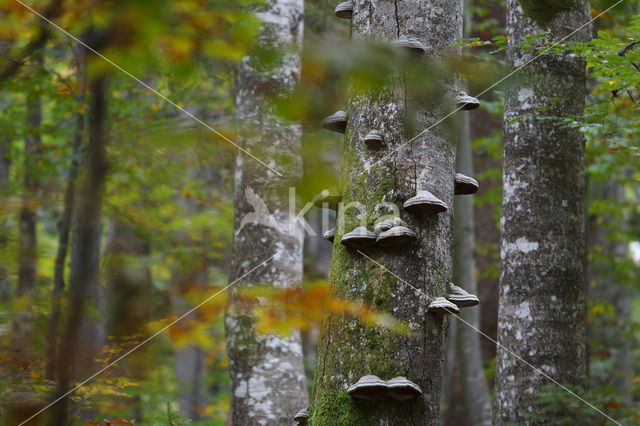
(373, 387)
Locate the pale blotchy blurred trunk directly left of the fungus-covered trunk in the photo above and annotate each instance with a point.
(267, 374)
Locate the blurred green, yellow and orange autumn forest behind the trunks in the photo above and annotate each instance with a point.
(167, 209)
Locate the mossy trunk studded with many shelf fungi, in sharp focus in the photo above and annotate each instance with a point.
(349, 349)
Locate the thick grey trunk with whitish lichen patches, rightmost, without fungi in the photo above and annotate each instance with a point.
(542, 304)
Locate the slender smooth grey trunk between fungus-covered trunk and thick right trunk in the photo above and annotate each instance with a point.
(476, 392)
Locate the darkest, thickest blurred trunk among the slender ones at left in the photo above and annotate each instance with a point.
(85, 335)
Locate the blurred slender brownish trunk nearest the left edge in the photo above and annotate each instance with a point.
(28, 250)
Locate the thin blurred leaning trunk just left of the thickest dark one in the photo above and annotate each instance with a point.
(64, 225)
